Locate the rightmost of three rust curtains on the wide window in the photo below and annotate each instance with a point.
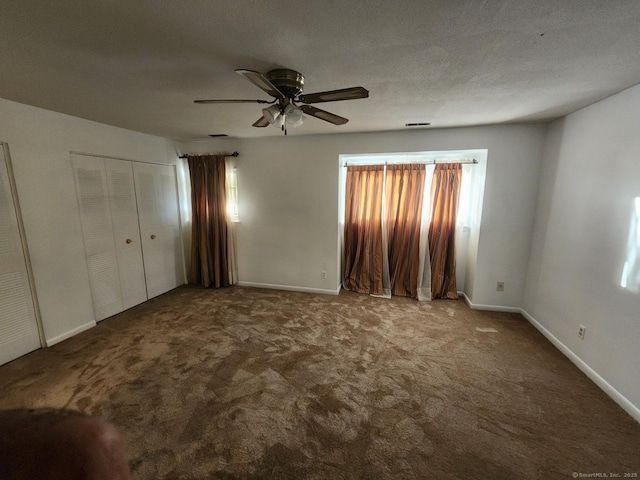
(445, 193)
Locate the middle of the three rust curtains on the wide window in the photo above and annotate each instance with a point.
(404, 192)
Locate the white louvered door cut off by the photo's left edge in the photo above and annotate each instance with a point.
(18, 325)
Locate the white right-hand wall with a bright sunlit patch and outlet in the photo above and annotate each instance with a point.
(589, 179)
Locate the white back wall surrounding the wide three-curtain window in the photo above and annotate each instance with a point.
(288, 188)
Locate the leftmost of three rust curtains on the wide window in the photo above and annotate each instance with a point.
(363, 248)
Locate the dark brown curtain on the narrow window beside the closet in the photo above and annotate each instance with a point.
(209, 248)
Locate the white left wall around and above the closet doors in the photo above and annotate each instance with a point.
(39, 143)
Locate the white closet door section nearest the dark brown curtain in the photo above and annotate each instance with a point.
(159, 227)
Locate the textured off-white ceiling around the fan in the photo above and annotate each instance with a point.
(140, 64)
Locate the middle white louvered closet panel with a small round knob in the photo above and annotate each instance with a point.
(126, 231)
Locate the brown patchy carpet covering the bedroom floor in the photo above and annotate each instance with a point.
(247, 383)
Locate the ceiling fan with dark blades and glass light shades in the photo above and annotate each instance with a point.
(286, 87)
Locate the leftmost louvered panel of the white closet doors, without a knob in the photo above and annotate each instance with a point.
(97, 232)
